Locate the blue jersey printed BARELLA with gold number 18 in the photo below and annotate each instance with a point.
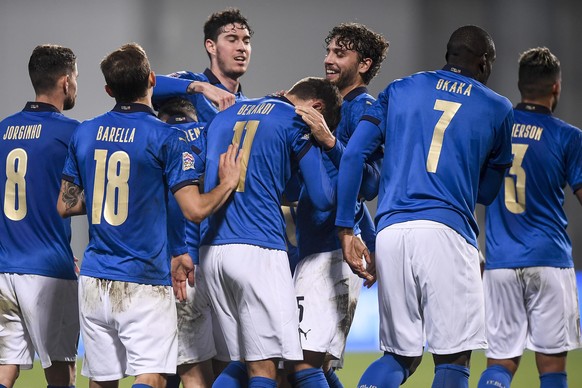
(126, 160)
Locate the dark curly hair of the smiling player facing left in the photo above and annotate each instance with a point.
(367, 43)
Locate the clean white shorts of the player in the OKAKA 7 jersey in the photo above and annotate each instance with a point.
(428, 282)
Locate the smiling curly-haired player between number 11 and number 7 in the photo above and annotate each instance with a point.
(354, 57)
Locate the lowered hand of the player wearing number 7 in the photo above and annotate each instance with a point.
(356, 254)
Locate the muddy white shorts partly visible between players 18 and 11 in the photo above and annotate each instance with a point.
(195, 338)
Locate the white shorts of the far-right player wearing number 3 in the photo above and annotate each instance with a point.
(534, 308)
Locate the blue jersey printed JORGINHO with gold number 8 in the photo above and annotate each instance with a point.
(33, 147)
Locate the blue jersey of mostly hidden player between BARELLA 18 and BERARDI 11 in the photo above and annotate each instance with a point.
(181, 231)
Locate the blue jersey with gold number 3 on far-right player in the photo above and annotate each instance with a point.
(526, 224)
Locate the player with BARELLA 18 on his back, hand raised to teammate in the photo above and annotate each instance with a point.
(119, 168)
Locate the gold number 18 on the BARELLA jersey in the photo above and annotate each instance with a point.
(113, 186)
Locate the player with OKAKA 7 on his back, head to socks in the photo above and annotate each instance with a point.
(447, 146)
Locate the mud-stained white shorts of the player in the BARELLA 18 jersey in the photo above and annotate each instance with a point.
(128, 328)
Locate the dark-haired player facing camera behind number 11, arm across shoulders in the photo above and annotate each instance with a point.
(227, 40)
